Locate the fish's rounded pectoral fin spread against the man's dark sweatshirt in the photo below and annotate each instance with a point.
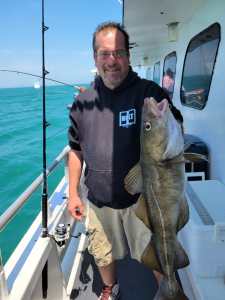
(133, 180)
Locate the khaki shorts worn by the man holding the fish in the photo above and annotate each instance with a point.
(112, 230)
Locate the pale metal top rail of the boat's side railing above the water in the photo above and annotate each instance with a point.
(12, 210)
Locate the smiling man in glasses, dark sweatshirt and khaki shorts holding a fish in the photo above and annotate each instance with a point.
(105, 133)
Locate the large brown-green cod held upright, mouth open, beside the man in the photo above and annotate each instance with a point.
(159, 177)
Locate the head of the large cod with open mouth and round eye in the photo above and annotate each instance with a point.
(161, 135)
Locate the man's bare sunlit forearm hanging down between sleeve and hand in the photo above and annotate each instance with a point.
(75, 163)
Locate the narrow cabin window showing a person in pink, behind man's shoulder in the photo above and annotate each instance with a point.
(169, 72)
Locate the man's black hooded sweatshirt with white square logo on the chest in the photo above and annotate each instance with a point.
(105, 126)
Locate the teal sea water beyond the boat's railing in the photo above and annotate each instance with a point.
(21, 150)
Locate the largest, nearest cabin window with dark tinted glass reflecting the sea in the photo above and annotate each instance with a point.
(198, 67)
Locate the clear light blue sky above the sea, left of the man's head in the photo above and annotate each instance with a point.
(68, 42)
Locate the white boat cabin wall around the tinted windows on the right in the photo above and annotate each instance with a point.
(208, 123)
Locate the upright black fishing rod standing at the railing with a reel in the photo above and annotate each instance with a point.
(44, 187)
